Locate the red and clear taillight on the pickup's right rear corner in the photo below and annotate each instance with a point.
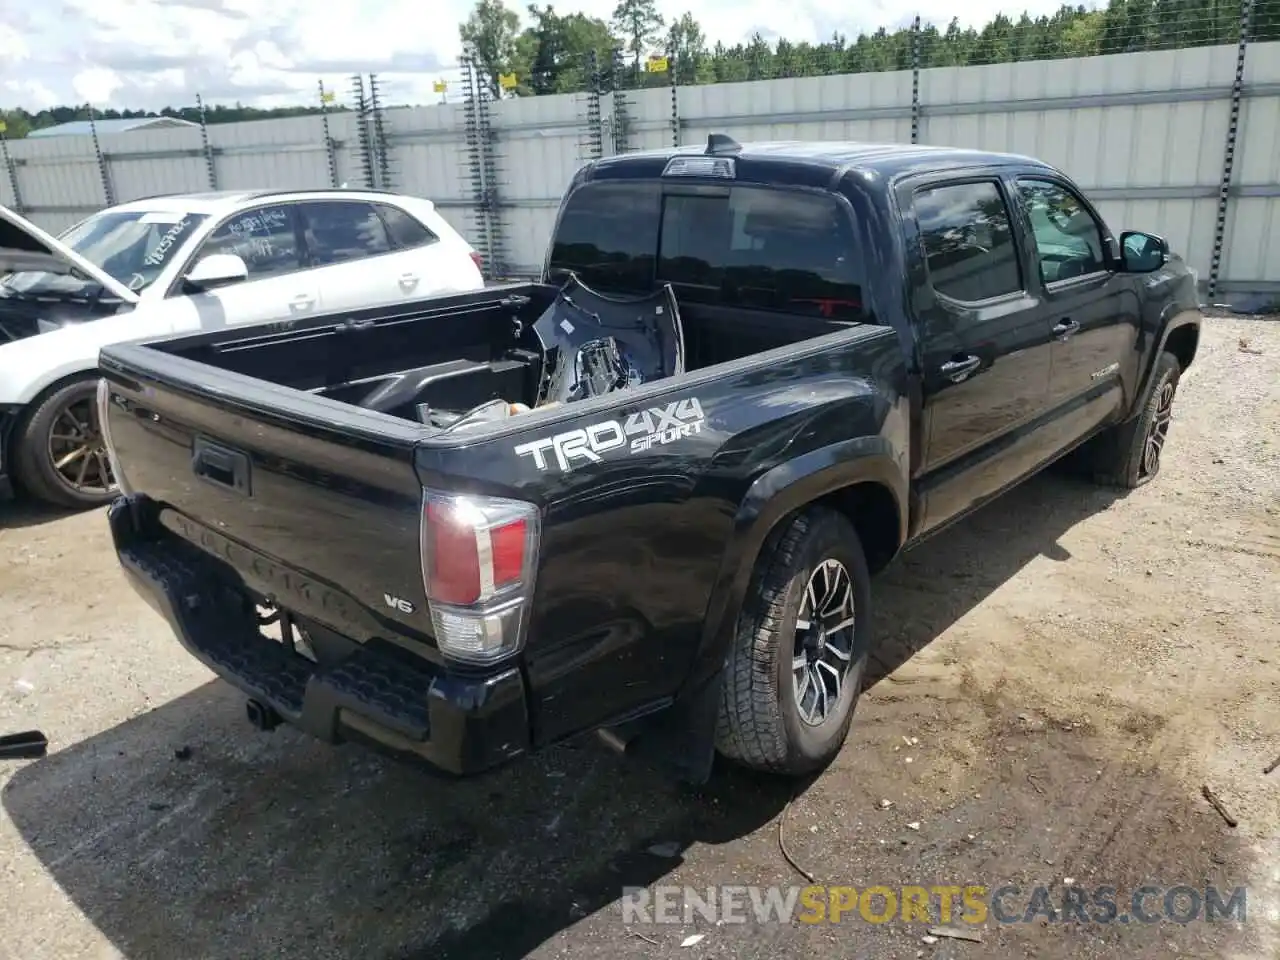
(479, 556)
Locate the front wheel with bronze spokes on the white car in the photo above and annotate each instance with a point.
(47, 440)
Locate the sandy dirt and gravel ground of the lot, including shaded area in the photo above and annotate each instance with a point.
(1073, 666)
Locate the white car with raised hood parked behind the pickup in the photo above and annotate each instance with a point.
(184, 264)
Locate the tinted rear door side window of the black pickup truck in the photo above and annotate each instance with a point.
(968, 241)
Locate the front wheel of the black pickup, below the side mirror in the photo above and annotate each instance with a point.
(1130, 454)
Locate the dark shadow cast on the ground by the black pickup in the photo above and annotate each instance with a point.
(182, 833)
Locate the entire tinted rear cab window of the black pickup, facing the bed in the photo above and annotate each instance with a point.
(753, 246)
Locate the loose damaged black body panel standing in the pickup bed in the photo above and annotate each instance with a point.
(596, 345)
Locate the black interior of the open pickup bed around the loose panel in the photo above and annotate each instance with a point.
(451, 354)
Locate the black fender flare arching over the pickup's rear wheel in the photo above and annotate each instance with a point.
(775, 495)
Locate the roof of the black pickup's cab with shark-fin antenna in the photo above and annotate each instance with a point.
(884, 159)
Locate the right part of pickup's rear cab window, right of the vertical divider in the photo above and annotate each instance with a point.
(765, 249)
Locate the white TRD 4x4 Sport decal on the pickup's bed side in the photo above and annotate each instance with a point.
(643, 431)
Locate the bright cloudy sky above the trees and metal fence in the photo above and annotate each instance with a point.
(148, 54)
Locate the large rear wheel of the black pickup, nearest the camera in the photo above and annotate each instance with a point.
(761, 724)
